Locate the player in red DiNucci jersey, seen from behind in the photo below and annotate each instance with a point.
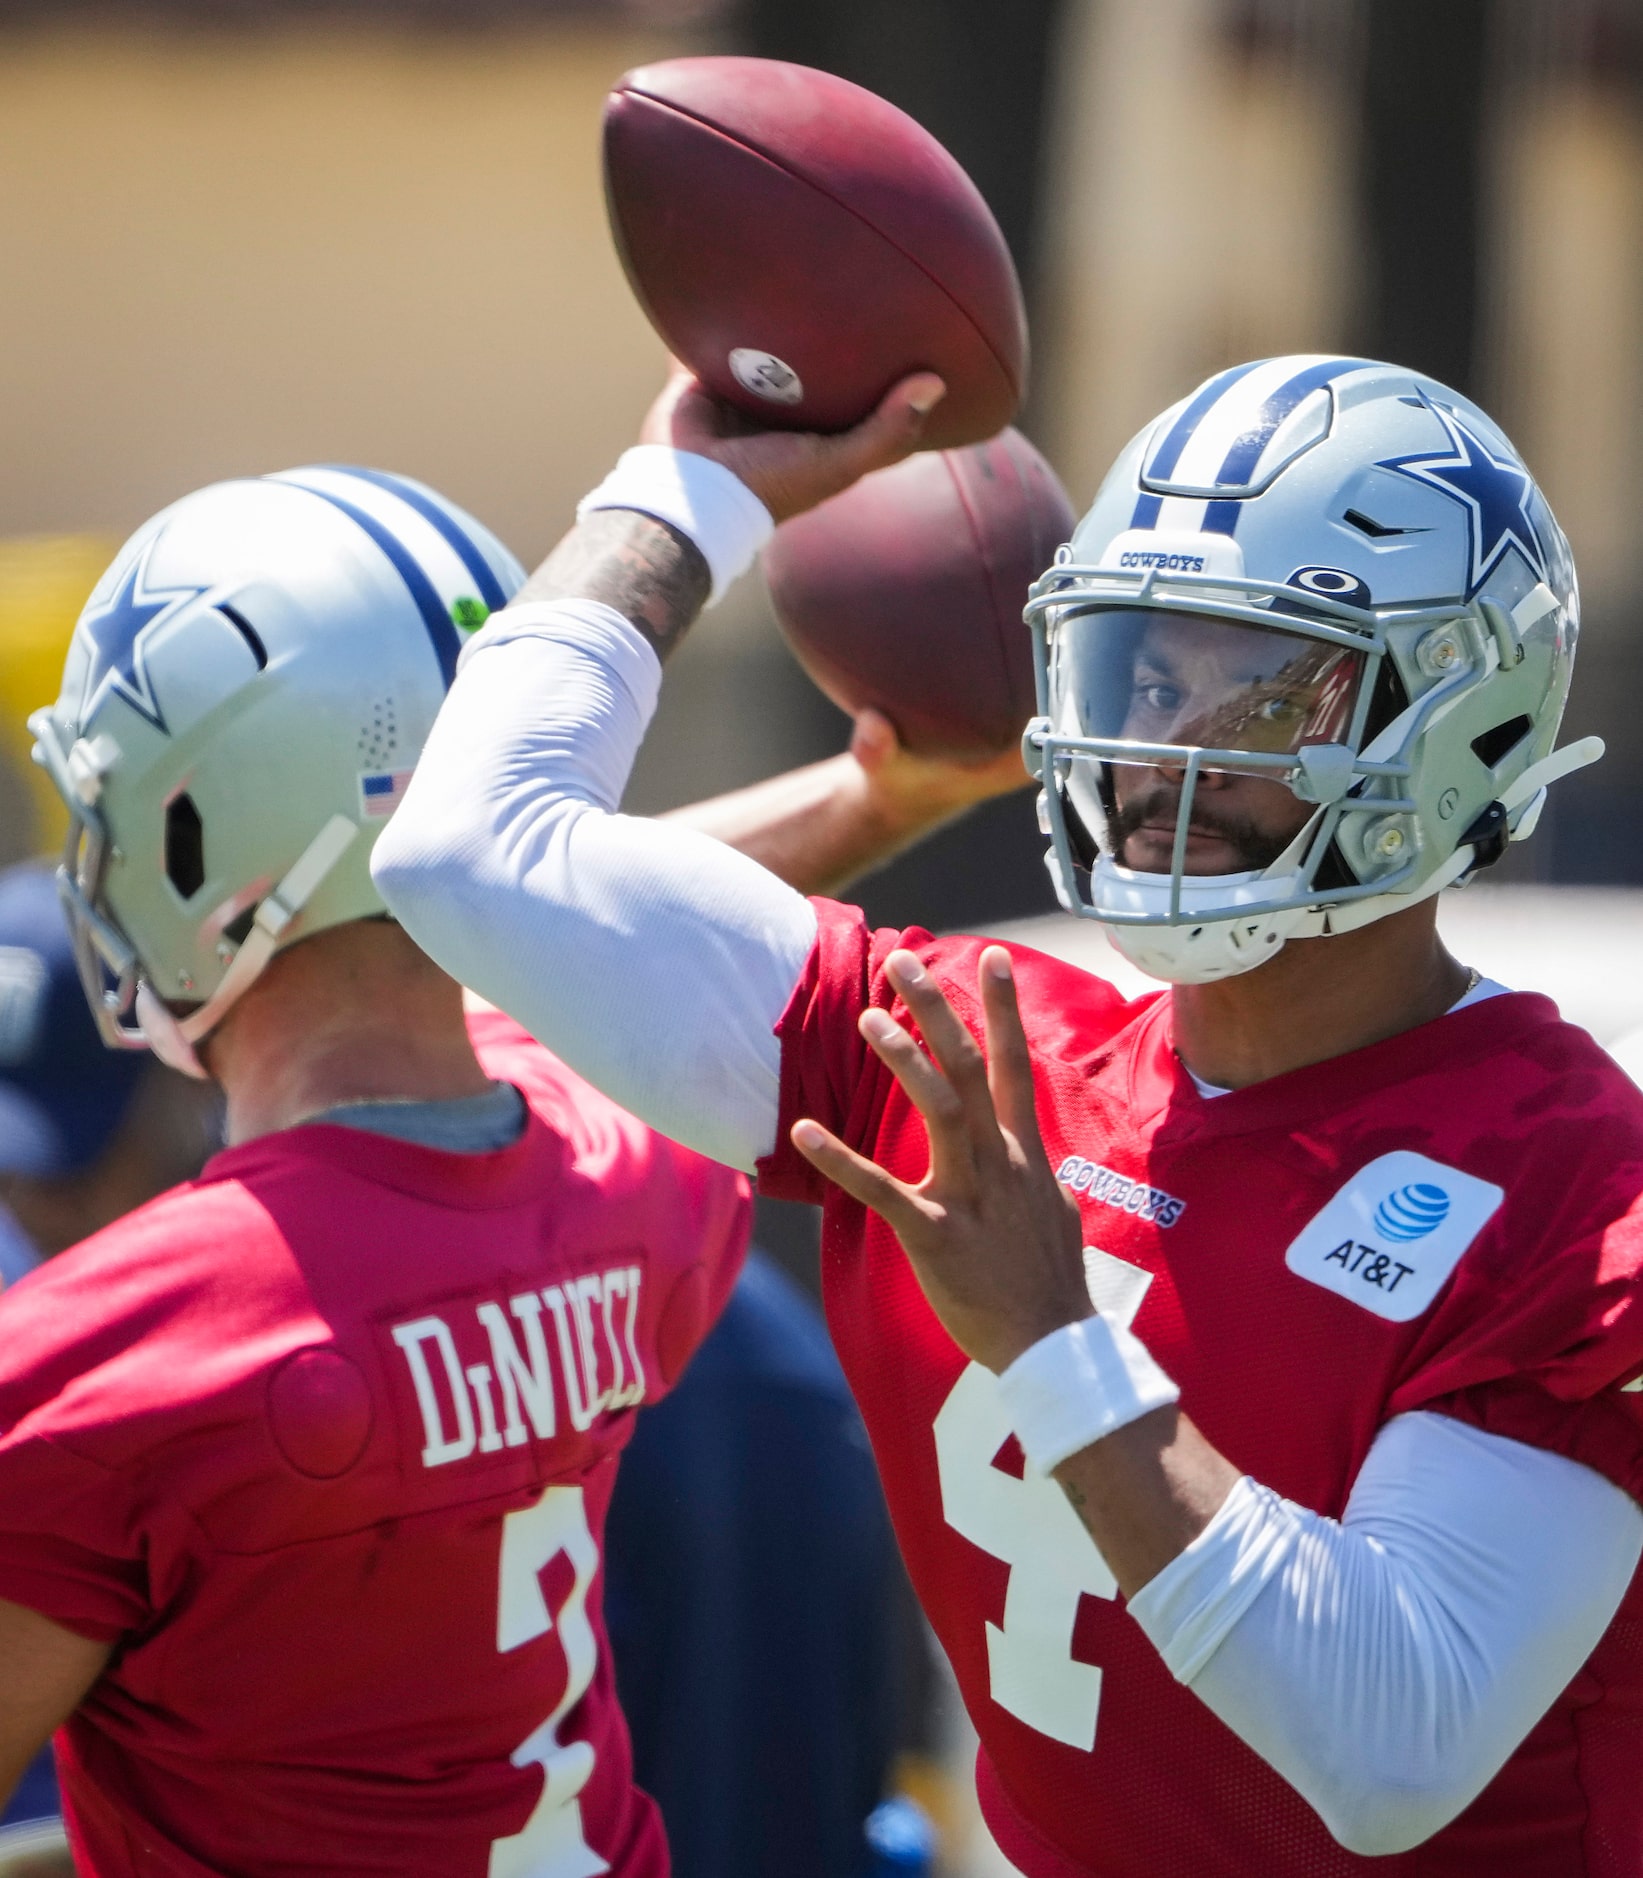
(305, 1466)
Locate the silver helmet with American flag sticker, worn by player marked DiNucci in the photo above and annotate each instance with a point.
(243, 703)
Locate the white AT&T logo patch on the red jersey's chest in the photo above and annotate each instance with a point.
(1394, 1233)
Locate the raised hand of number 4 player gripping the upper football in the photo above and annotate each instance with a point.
(791, 470)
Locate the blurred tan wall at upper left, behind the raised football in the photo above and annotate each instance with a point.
(236, 253)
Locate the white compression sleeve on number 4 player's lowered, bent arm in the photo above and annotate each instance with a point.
(1387, 1665)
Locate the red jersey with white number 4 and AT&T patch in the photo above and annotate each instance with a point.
(1447, 1222)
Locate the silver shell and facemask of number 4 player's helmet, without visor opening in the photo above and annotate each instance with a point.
(1372, 500)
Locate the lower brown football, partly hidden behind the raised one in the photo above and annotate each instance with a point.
(908, 591)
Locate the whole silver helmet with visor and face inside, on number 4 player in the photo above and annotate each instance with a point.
(1317, 574)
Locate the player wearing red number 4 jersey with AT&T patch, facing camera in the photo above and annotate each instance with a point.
(1255, 1381)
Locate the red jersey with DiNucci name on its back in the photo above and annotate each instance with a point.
(324, 1443)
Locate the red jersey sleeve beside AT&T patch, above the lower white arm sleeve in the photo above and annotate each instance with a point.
(1541, 1338)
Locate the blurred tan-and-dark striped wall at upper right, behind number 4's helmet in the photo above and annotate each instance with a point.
(1210, 189)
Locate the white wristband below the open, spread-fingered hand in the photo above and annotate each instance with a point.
(1079, 1385)
